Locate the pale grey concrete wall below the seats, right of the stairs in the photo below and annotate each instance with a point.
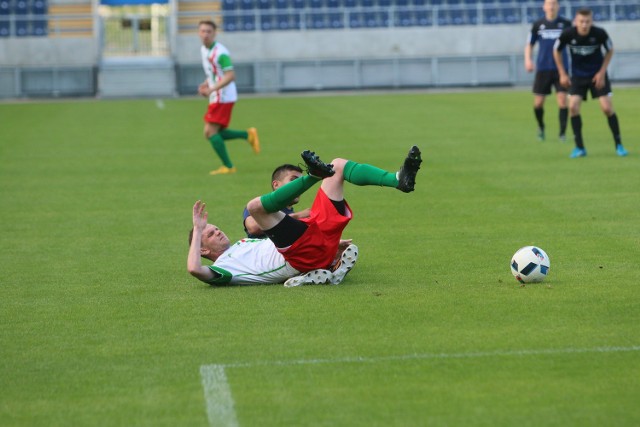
(385, 43)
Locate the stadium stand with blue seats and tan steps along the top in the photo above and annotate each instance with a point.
(36, 18)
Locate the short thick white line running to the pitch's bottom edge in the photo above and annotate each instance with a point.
(217, 396)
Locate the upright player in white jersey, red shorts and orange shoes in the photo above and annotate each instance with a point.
(219, 86)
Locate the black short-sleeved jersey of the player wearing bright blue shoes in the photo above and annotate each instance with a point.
(586, 51)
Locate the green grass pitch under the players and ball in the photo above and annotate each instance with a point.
(101, 325)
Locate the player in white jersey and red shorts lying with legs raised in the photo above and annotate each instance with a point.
(294, 246)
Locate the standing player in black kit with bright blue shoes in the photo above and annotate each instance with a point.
(588, 73)
